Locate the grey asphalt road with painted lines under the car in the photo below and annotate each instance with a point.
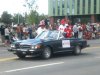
(88, 63)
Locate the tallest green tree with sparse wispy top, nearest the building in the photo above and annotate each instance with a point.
(33, 16)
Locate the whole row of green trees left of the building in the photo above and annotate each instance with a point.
(30, 18)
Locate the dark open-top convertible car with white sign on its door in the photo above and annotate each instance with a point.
(46, 44)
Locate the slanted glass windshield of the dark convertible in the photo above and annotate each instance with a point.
(48, 35)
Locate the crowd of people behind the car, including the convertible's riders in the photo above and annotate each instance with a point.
(23, 31)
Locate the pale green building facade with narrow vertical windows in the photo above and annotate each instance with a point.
(89, 9)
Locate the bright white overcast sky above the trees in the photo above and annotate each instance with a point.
(16, 6)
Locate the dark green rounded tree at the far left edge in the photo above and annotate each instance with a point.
(6, 18)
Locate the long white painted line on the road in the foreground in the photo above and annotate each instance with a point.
(38, 66)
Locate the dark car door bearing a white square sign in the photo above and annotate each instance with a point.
(63, 45)
